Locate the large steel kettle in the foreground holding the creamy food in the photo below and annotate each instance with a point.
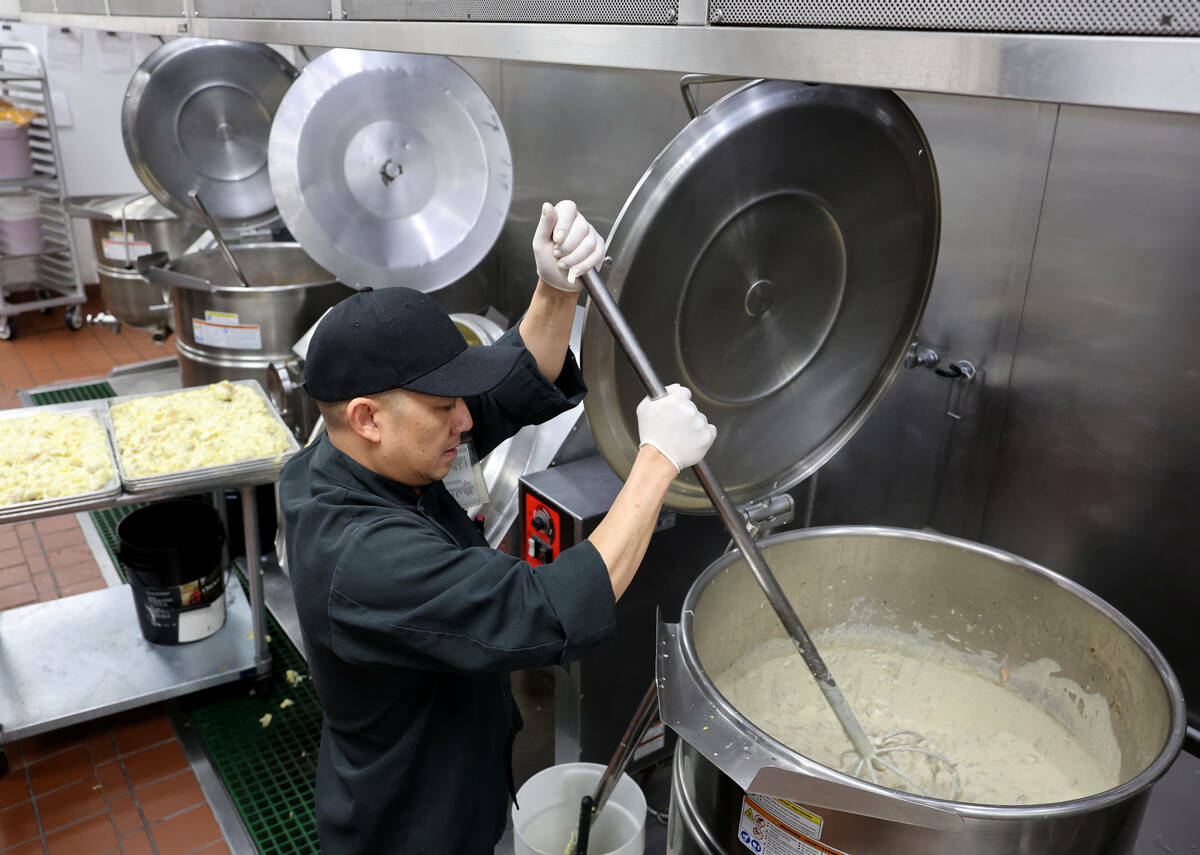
(897, 578)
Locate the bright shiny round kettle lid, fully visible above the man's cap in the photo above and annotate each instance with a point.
(391, 169)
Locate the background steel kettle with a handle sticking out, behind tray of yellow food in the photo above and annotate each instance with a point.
(227, 332)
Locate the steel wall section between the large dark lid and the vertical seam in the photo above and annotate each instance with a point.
(913, 464)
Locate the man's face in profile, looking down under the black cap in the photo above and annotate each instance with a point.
(419, 435)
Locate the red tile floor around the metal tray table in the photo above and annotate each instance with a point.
(118, 785)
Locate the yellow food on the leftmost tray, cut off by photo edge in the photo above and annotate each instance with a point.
(52, 456)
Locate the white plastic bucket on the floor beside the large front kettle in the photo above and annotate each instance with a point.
(550, 812)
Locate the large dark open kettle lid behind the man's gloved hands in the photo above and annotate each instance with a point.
(776, 259)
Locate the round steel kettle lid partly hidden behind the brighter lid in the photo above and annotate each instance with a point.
(197, 116)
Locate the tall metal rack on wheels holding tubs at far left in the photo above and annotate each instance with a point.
(53, 274)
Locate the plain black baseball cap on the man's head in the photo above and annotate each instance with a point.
(398, 339)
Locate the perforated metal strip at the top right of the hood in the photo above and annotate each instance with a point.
(1141, 17)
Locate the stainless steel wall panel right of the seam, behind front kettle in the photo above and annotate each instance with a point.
(1099, 471)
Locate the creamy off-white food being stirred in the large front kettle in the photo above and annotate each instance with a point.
(1007, 749)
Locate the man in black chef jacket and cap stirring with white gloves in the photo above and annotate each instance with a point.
(412, 624)
